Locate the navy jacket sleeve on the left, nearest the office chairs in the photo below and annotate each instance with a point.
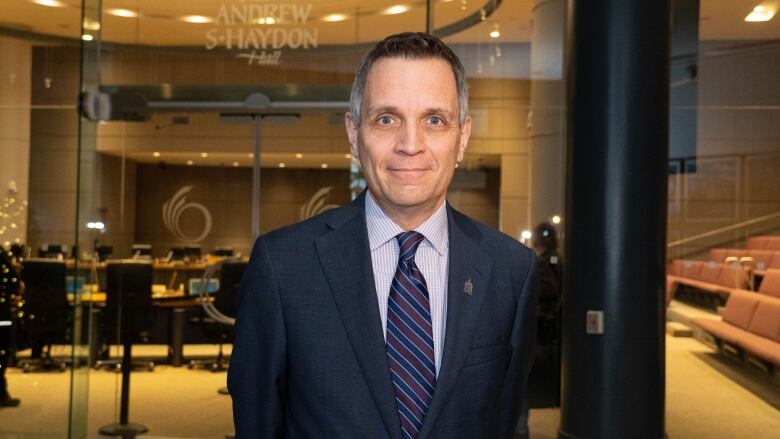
(257, 378)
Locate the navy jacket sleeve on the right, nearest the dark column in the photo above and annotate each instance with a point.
(523, 341)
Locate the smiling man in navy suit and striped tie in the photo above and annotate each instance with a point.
(395, 316)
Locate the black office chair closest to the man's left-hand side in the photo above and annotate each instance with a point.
(218, 317)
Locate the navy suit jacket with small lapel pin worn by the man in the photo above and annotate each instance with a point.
(309, 357)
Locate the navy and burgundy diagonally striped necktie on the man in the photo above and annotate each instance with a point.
(410, 338)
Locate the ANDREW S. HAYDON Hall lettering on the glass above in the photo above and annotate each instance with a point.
(261, 29)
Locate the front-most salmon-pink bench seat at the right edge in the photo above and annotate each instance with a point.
(750, 327)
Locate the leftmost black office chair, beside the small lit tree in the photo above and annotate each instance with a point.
(45, 313)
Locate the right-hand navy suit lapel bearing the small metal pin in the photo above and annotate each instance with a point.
(466, 262)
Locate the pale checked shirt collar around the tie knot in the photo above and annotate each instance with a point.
(382, 229)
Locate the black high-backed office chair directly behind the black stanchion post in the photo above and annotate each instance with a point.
(128, 310)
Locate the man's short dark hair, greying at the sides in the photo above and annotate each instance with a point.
(410, 45)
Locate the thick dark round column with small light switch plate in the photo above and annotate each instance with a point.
(618, 116)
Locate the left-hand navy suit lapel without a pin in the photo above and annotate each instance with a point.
(346, 260)
